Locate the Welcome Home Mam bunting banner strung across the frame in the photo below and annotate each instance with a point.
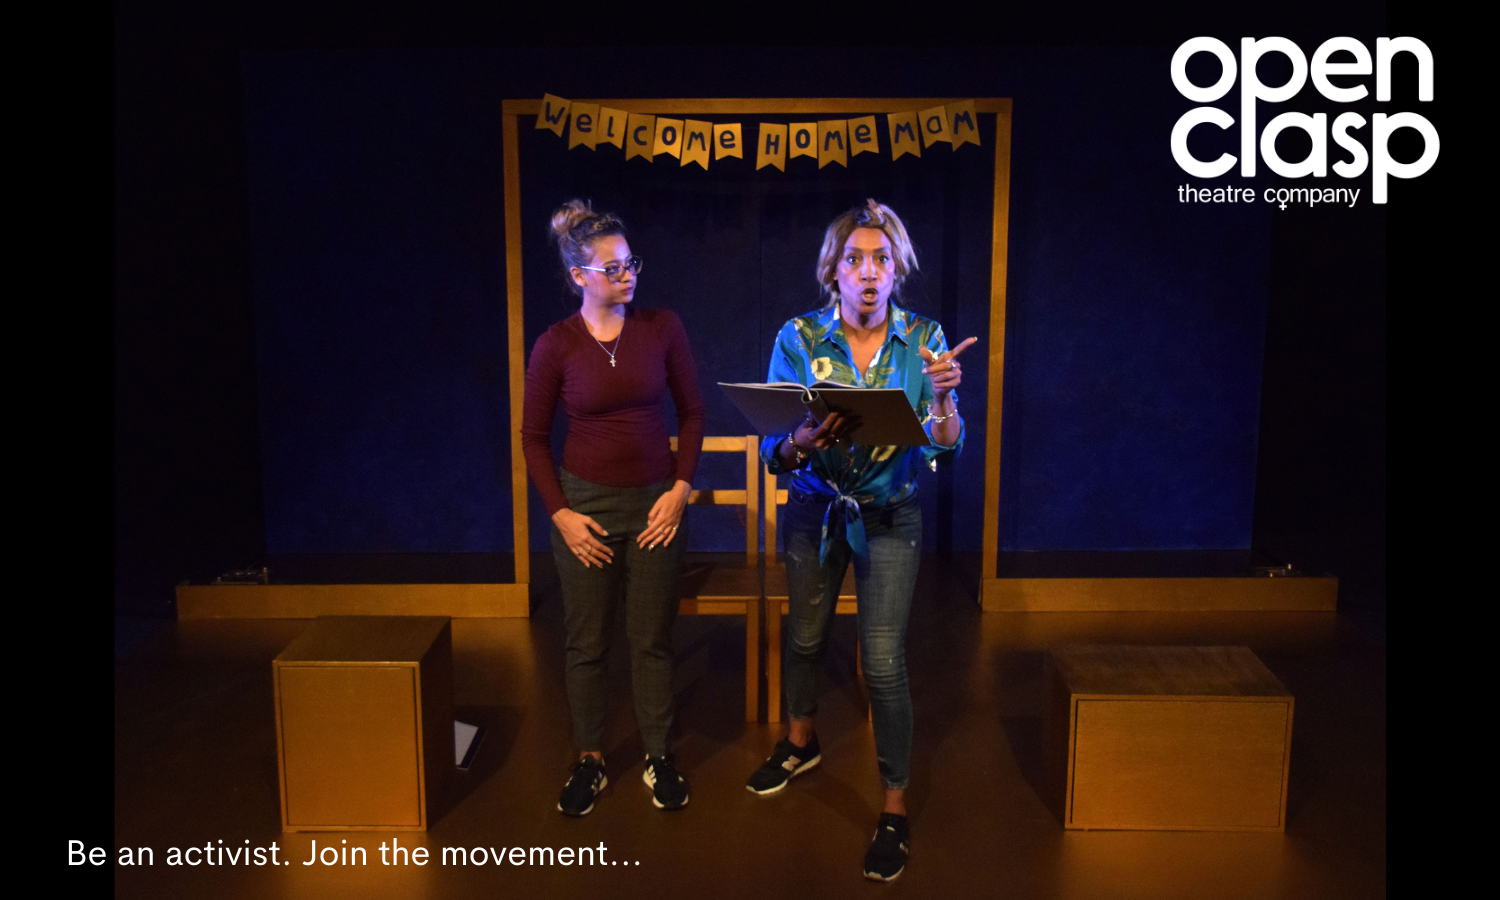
(776, 143)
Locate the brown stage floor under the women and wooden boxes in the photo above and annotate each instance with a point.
(196, 764)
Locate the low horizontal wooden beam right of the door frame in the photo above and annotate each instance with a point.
(1142, 595)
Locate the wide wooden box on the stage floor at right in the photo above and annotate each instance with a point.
(1192, 739)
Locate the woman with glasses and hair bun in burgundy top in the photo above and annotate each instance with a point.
(617, 502)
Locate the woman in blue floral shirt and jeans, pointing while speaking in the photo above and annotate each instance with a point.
(859, 503)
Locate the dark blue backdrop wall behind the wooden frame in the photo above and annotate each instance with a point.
(1135, 325)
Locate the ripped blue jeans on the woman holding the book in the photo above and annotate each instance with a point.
(884, 584)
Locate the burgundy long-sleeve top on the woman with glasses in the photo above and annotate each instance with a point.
(617, 431)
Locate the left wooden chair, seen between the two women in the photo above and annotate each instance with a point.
(721, 586)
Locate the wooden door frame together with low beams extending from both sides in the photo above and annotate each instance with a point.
(997, 595)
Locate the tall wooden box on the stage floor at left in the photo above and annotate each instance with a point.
(365, 724)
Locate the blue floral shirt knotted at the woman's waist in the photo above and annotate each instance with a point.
(814, 349)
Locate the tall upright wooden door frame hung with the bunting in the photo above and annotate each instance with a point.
(827, 107)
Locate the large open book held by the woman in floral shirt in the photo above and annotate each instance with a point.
(886, 415)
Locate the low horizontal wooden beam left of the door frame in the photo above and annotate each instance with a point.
(200, 602)
